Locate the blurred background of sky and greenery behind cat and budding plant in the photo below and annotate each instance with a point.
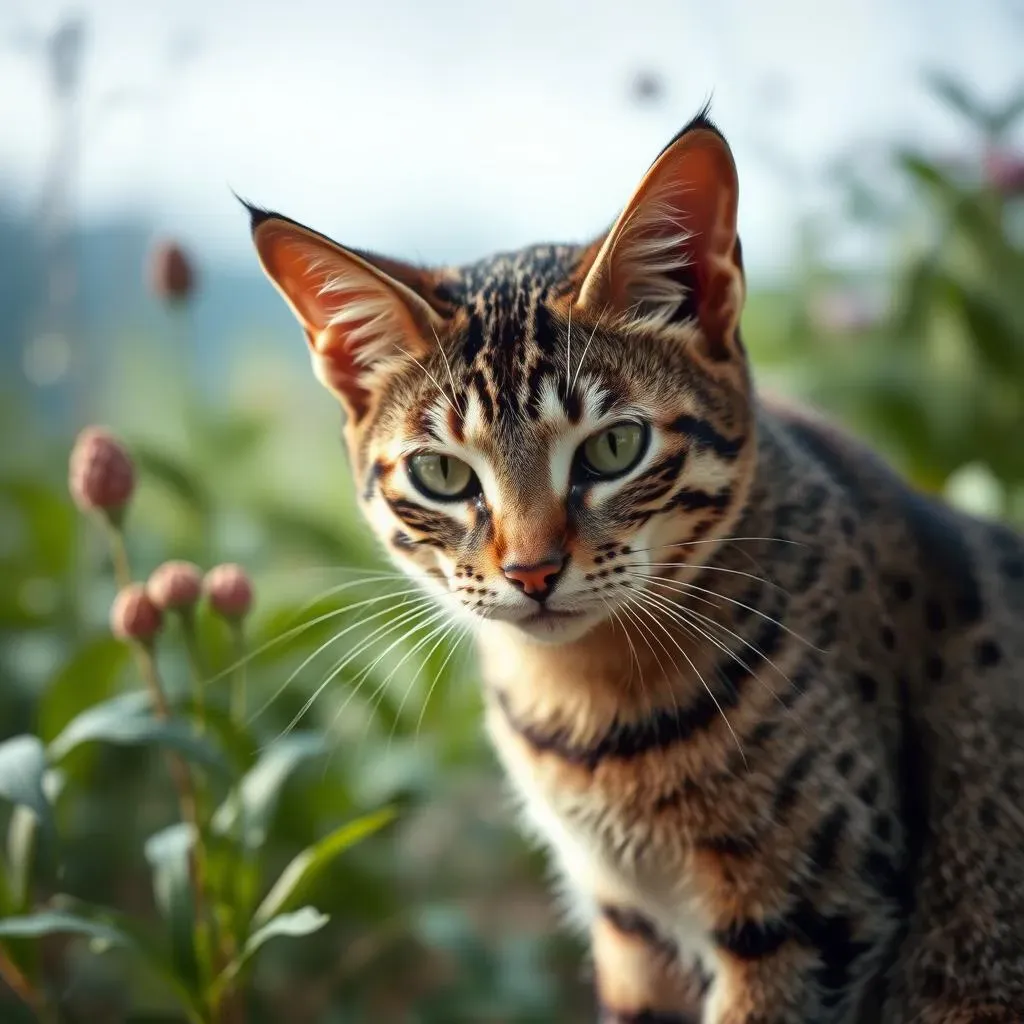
(882, 164)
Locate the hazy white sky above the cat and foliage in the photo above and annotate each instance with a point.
(440, 130)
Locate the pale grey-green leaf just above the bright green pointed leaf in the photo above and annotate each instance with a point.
(262, 787)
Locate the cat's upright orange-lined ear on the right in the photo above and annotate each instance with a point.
(674, 253)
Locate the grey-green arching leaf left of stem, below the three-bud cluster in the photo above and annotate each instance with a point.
(123, 721)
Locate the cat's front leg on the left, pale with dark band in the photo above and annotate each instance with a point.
(639, 975)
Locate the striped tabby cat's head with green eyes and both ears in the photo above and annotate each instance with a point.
(537, 435)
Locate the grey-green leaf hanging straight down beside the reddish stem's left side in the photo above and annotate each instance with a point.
(169, 854)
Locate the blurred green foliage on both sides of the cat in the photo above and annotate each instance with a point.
(355, 703)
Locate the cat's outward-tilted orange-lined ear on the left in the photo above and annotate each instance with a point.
(358, 317)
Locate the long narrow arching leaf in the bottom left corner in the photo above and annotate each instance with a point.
(106, 930)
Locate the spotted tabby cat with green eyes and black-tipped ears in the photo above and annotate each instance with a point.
(764, 704)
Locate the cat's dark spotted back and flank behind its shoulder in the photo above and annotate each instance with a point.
(949, 594)
